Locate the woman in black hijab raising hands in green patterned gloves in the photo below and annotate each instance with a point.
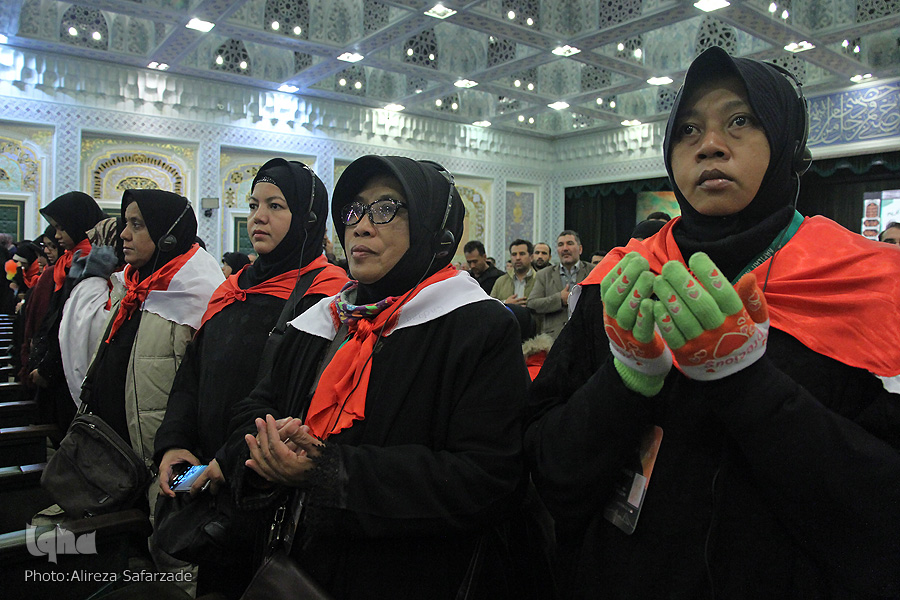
(764, 454)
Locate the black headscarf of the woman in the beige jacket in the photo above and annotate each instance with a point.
(160, 211)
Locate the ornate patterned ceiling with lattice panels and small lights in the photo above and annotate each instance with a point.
(505, 46)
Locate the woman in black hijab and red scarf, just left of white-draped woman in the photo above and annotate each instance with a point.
(72, 215)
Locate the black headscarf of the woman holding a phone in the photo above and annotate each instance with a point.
(303, 242)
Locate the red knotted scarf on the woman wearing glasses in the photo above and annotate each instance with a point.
(340, 397)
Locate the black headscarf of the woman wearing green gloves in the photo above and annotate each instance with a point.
(734, 240)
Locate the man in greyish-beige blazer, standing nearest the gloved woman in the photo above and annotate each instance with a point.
(550, 297)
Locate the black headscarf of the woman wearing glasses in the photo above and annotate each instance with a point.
(427, 192)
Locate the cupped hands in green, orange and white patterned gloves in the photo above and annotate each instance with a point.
(712, 328)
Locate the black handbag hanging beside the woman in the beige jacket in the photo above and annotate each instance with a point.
(94, 471)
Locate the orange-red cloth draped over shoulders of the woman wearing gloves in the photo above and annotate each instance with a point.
(831, 289)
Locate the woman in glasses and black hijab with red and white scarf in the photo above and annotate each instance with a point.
(410, 444)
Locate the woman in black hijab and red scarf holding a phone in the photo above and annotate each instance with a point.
(283, 225)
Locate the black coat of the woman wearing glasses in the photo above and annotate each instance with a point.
(398, 501)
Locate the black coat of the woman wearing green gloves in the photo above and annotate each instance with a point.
(780, 481)
